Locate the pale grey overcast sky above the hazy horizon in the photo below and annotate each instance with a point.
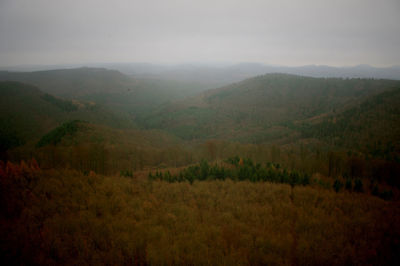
(332, 32)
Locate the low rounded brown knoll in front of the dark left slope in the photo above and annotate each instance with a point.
(85, 147)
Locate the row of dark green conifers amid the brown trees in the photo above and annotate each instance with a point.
(239, 169)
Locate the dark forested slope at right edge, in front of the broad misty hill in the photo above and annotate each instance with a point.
(372, 126)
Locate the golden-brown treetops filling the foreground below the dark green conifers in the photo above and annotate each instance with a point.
(70, 218)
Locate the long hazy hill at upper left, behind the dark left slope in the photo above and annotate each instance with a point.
(123, 94)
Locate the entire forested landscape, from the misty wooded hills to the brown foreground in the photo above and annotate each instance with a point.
(100, 167)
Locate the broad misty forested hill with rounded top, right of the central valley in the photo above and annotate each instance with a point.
(263, 108)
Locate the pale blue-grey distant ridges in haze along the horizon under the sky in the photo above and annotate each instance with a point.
(224, 73)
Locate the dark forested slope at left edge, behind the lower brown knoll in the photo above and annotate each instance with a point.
(26, 113)
